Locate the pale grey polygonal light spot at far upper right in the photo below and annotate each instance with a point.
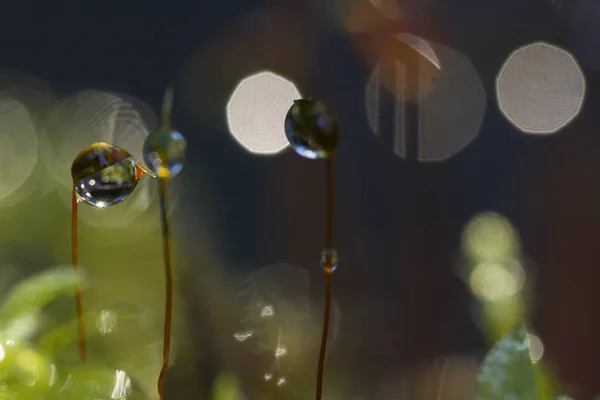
(540, 88)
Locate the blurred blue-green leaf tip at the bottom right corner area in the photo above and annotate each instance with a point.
(507, 371)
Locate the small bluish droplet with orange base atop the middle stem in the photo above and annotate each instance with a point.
(164, 152)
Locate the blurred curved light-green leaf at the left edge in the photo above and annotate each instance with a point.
(23, 303)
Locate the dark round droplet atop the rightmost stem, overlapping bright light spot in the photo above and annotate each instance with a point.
(311, 129)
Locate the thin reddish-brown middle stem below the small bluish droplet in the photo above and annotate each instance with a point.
(166, 237)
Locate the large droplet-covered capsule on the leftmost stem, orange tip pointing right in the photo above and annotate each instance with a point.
(104, 175)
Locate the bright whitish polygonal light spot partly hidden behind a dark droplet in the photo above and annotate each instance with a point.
(256, 112)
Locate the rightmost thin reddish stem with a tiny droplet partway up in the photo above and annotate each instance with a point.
(328, 278)
